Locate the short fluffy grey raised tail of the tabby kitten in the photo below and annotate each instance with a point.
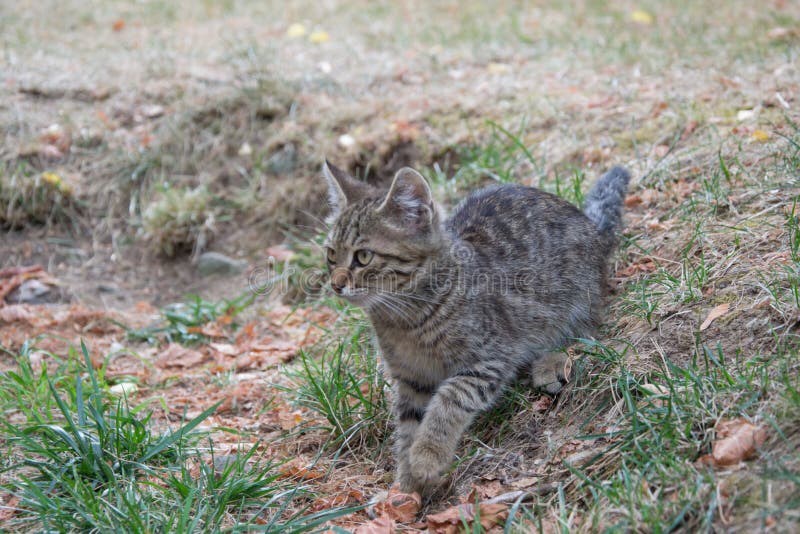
(603, 204)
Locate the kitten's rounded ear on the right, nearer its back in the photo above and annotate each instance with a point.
(409, 200)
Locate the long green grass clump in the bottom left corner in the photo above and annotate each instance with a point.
(79, 459)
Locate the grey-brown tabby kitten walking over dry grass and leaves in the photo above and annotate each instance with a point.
(461, 305)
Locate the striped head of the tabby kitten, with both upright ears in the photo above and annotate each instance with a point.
(379, 241)
